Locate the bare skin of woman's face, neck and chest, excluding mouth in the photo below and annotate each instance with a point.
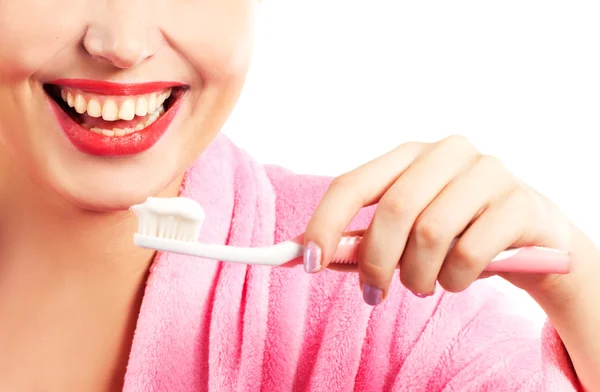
(66, 240)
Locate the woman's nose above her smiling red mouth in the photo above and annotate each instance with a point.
(124, 35)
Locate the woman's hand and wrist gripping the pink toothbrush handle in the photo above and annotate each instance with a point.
(428, 194)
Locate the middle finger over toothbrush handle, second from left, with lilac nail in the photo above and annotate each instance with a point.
(385, 239)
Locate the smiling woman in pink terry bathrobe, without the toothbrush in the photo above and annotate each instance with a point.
(105, 103)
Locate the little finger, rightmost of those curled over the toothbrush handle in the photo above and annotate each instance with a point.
(501, 226)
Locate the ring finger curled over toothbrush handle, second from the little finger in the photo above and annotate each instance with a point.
(449, 215)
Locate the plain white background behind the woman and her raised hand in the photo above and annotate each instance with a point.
(336, 83)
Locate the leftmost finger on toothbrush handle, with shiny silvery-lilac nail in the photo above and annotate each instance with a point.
(346, 196)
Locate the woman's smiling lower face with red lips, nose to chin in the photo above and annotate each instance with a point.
(175, 70)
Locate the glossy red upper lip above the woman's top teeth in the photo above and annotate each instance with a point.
(113, 88)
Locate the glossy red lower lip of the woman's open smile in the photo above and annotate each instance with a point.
(134, 143)
